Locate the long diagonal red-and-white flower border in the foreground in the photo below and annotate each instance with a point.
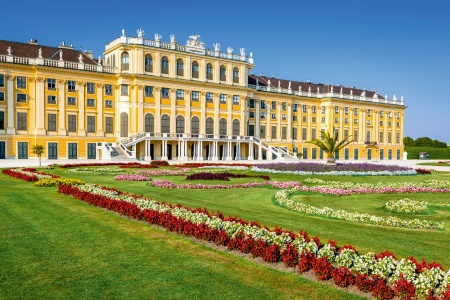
(383, 274)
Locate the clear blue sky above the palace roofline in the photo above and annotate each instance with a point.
(393, 47)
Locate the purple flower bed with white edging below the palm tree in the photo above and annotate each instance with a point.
(361, 169)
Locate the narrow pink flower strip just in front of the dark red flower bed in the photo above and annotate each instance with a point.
(170, 185)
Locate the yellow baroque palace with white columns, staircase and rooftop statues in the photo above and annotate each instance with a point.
(150, 99)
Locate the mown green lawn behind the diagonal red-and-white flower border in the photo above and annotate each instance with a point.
(257, 204)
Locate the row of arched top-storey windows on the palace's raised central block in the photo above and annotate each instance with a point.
(148, 67)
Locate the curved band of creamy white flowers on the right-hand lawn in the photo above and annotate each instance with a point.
(283, 197)
